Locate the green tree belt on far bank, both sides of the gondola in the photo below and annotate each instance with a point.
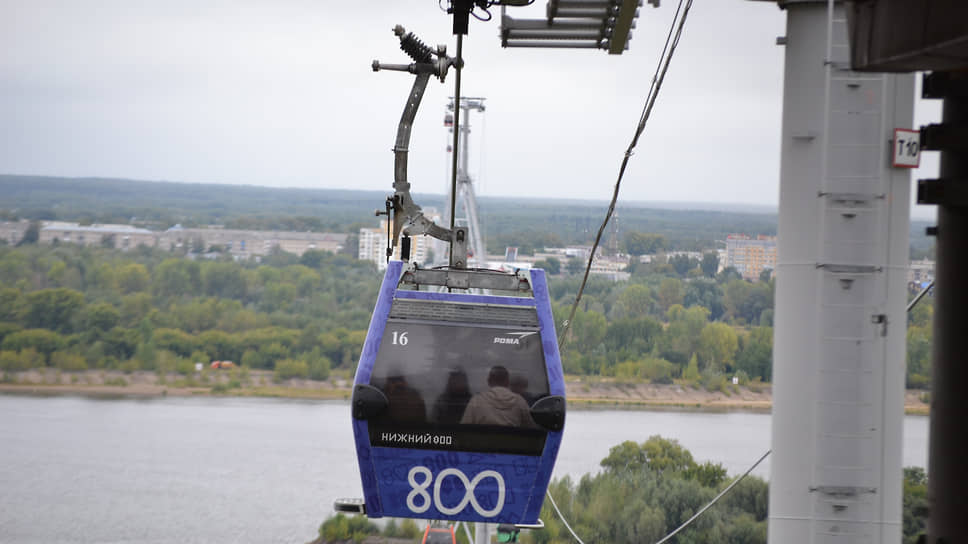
(72, 308)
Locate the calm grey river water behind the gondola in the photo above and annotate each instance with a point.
(182, 470)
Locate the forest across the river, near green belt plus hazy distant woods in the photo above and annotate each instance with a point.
(677, 318)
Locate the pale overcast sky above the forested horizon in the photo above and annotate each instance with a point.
(281, 94)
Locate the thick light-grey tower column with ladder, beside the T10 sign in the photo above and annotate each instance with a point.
(838, 368)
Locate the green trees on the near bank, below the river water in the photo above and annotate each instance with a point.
(644, 492)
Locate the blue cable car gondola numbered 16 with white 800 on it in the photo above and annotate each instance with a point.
(459, 399)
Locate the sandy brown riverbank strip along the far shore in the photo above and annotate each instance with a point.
(589, 392)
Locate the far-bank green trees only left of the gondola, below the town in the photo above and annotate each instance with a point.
(76, 308)
